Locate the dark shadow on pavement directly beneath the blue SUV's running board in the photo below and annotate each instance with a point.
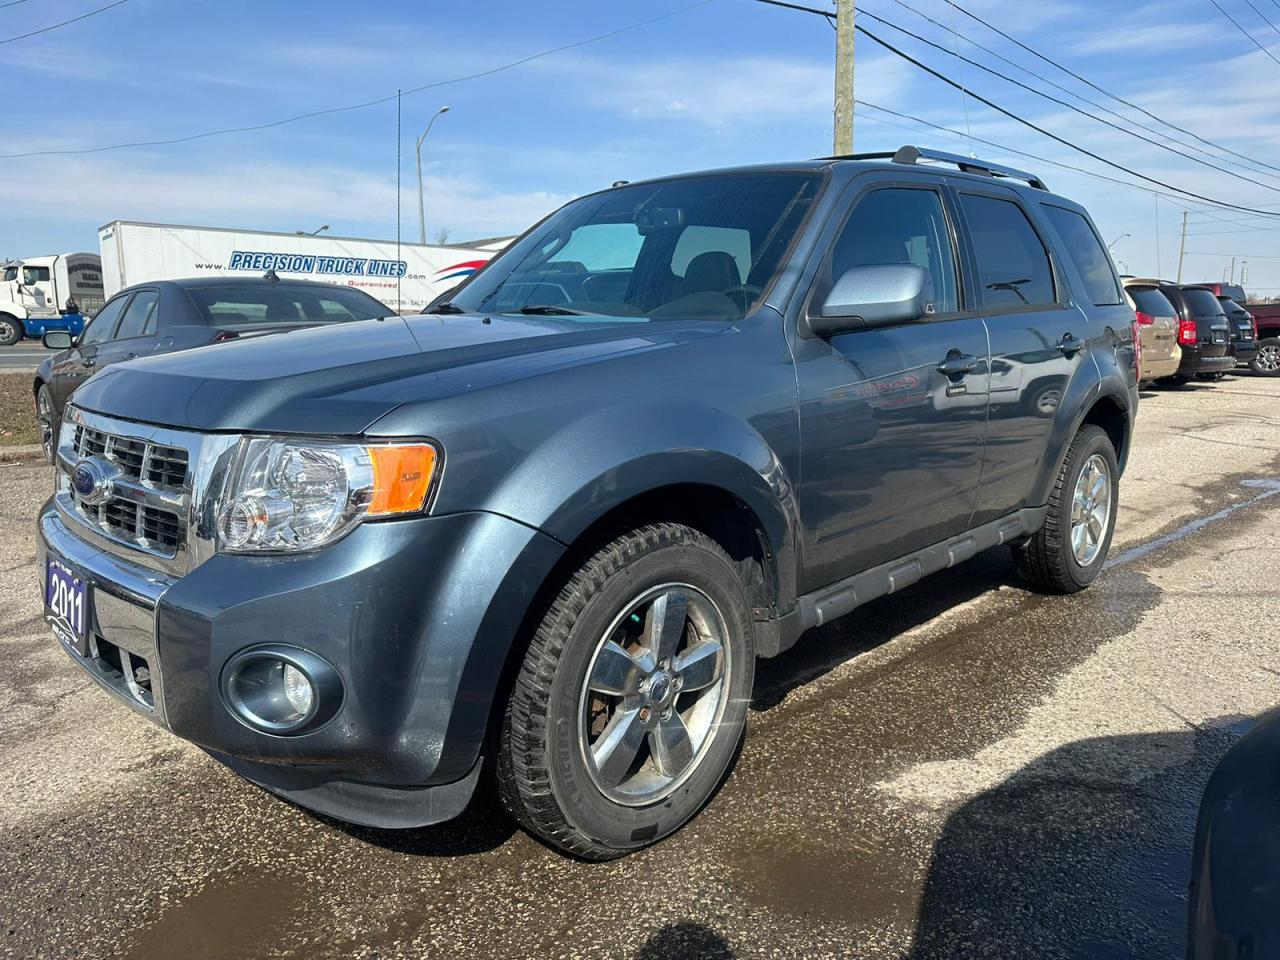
(877, 623)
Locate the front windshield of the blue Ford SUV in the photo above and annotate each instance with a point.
(698, 248)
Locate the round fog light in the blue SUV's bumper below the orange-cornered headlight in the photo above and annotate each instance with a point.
(280, 689)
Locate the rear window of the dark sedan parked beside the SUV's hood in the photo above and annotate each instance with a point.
(243, 307)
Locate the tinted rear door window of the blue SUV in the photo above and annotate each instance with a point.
(1013, 266)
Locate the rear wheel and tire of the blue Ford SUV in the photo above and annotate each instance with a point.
(1054, 560)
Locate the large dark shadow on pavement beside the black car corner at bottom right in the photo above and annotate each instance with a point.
(1084, 853)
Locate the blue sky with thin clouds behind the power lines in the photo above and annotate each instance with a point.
(732, 81)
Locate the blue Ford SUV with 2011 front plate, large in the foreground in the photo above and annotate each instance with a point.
(551, 527)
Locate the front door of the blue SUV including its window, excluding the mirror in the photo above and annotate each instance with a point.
(893, 419)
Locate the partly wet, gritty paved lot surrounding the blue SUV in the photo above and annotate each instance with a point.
(963, 770)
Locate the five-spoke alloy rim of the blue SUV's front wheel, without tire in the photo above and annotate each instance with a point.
(655, 694)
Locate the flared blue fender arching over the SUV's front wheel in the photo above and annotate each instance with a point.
(607, 458)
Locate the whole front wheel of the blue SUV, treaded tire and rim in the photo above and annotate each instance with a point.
(556, 728)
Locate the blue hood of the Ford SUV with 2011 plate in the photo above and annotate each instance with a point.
(339, 381)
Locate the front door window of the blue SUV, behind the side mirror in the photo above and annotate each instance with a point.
(900, 226)
